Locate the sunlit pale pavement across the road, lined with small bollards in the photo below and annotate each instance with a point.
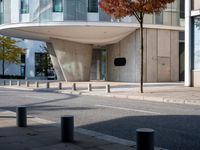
(160, 92)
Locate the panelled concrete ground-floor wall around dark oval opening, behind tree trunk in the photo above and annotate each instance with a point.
(161, 57)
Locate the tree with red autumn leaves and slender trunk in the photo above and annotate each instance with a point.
(138, 8)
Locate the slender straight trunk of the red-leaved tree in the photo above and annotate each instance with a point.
(141, 53)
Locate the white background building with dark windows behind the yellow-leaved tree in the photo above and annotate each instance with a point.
(34, 63)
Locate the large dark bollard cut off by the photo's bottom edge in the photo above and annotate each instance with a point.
(144, 139)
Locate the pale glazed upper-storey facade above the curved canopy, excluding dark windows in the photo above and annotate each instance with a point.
(77, 10)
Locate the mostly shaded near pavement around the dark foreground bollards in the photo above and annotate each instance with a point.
(45, 135)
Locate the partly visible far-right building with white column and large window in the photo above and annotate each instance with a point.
(192, 43)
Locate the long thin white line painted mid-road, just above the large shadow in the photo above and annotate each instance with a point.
(128, 109)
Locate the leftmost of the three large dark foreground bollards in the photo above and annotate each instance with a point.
(21, 116)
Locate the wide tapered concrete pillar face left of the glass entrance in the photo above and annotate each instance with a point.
(74, 59)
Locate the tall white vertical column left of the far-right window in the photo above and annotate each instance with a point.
(188, 68)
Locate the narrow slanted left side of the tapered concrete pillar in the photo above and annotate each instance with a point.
(55, 63)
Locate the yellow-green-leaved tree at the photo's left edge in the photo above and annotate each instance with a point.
(9, 52)
